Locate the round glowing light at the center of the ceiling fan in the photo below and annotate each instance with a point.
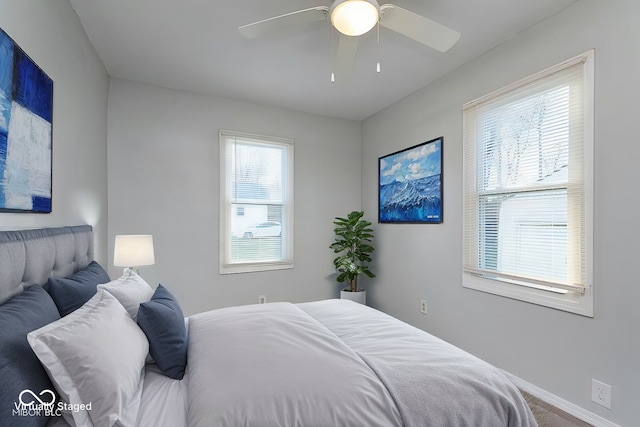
(354, 17)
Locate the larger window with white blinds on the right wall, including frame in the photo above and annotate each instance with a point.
(528, 185)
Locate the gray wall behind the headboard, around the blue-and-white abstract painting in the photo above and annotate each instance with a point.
(51, 34)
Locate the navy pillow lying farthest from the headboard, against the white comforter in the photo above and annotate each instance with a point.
(162, 321)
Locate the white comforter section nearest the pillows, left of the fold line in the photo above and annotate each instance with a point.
(273, 365)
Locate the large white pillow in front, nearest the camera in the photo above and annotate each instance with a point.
(96, 356)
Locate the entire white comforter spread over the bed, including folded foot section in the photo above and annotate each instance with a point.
(337, 363)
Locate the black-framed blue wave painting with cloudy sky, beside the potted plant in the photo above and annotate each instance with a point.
(410, 184)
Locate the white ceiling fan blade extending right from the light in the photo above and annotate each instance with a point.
(418, 28)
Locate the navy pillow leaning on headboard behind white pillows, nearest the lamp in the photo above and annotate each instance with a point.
(72, 292)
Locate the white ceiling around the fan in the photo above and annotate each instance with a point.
(195, 45)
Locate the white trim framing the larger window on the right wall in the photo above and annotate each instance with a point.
(563, 299)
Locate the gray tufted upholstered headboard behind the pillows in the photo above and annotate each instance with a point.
(30, 257)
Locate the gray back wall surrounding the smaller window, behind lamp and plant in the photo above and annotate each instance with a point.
(164, 180)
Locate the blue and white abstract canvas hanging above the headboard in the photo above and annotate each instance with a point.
(26, 123)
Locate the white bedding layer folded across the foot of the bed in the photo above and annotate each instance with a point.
(433, 382)
